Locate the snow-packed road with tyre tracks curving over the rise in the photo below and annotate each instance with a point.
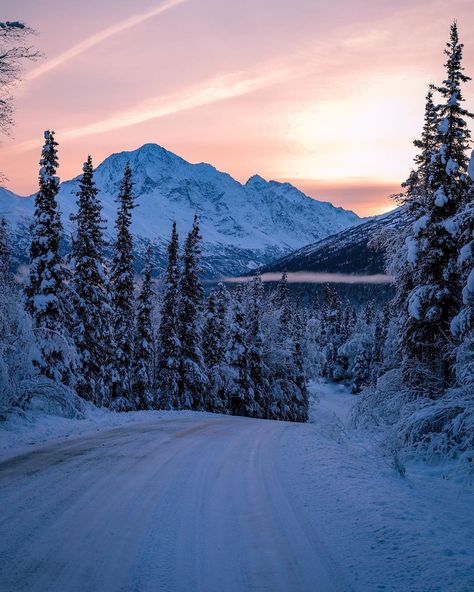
(184, 504)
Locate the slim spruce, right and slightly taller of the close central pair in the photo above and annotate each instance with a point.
(193, 378)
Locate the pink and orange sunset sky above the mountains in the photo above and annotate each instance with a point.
(326, 95)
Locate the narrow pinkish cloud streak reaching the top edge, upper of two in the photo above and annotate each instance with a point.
(97, 38)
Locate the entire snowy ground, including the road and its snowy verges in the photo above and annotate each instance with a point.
(191, 501)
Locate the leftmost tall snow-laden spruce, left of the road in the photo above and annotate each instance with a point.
(46, 285)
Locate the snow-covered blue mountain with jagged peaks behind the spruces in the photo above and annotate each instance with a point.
(243, 226)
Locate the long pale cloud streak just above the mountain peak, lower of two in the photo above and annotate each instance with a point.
(211, 91)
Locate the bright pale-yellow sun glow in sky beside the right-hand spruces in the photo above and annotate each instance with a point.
(343, 139)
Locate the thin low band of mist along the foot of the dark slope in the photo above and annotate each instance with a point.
(308, 277)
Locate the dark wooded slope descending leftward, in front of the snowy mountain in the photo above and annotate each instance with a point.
(348, 251)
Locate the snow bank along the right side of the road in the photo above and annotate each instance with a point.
(395, 533)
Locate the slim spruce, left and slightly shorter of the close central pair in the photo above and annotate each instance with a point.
(168, 371)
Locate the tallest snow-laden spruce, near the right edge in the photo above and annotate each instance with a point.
(435, 297)
